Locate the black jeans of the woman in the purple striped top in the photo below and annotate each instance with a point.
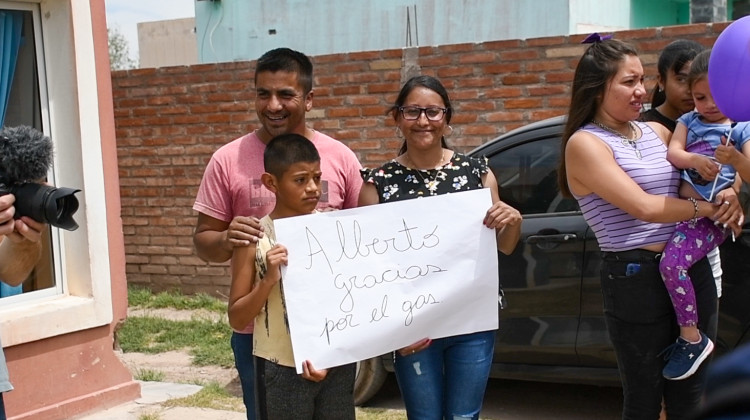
(641, 324)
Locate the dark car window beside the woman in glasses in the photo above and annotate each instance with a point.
(527, 176)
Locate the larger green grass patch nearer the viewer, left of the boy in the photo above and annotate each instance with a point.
(207, 340)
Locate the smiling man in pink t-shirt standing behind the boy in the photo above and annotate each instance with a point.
(231, 198)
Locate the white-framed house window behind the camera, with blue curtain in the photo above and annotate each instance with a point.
(55, 89)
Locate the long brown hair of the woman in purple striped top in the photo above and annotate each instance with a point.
(595, 69)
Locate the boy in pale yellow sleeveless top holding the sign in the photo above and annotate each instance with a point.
(292, 173)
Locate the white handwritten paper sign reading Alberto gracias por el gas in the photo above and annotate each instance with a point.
(365, 281)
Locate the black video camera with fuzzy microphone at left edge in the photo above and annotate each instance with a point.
(25, 158)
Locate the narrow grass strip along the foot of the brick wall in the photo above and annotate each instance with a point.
(144, 298)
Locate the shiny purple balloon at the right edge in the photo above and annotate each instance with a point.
(729, 70)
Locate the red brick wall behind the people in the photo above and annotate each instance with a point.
(170, 120)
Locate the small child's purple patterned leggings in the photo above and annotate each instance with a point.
(689, 244)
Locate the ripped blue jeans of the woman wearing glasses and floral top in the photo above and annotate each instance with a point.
(448, 378)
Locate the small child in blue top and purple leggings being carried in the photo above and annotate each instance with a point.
(696, 138)
